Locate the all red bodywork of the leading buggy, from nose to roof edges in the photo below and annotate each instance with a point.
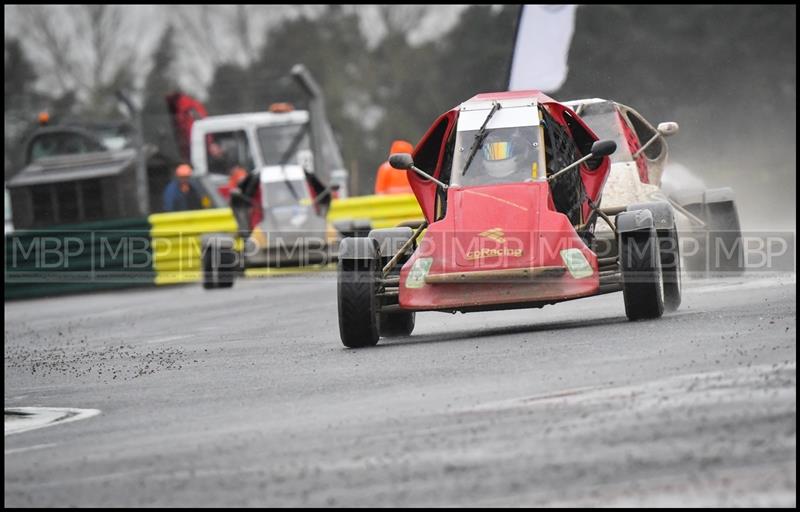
(497, 227)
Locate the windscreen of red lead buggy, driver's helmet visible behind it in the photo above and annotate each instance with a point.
(505, 155)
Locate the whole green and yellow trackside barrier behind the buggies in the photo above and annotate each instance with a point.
(164, 248)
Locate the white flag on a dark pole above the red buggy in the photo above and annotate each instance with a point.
(542, 47)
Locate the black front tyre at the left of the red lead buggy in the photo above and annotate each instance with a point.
(358, 303)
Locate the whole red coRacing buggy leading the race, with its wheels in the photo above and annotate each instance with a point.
(510, 185)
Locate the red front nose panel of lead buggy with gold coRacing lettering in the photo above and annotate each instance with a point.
(533, 235)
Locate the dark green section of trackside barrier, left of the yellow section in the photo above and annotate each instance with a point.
(78, 258)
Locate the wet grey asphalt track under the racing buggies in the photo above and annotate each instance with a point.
(246, 397)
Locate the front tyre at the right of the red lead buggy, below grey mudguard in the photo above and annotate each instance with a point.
(642, 285)
